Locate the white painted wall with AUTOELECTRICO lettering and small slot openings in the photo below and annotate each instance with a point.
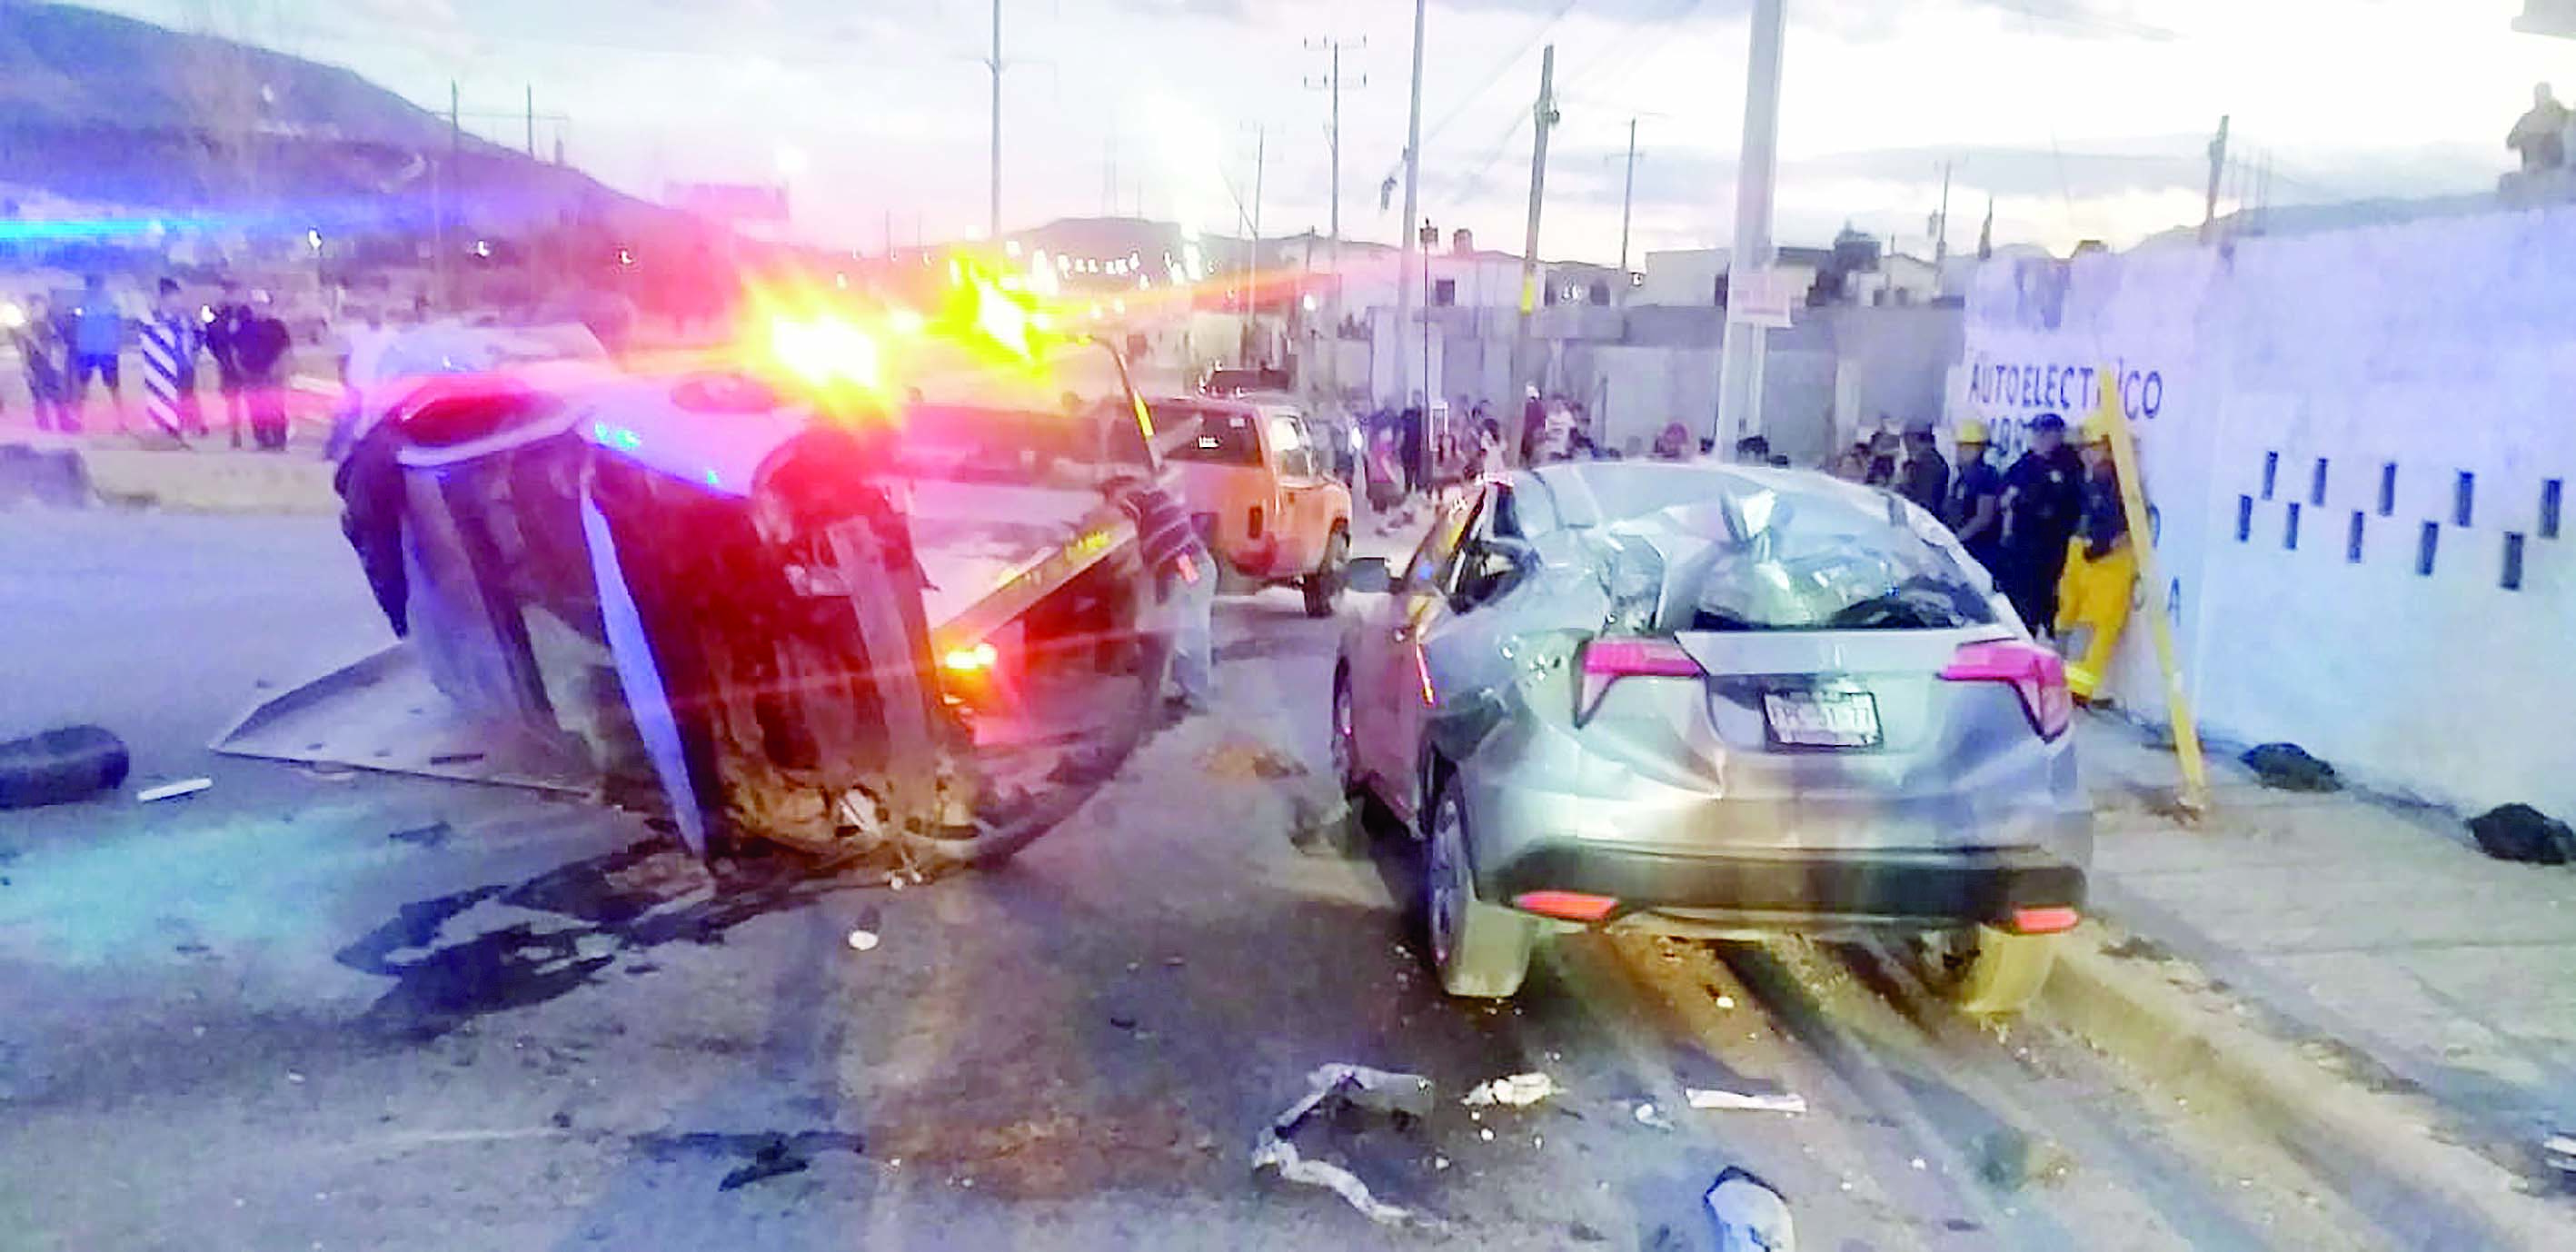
(2443, 346)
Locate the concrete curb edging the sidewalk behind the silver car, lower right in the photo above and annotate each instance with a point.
(2382, 1150)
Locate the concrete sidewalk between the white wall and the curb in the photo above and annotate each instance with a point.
(2369, 931)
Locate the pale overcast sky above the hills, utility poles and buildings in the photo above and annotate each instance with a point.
(2078, 117)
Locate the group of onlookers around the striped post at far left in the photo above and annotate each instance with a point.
(73, 344)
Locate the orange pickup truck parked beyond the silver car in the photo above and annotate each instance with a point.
(1264, 491)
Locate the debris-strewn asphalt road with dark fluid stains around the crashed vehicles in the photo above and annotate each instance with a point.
(362, 1011)
